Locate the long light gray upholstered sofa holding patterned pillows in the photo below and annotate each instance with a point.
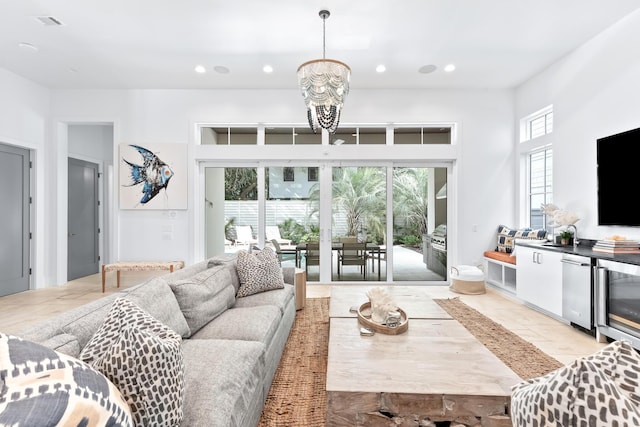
(231, 345)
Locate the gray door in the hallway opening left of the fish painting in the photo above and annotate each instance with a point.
(83, 242)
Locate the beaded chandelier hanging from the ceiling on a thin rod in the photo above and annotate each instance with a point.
(325, 85)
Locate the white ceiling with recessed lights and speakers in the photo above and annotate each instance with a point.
(155, 44)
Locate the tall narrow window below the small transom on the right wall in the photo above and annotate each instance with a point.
(540, 185)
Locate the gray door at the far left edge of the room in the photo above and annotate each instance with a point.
(14, 217)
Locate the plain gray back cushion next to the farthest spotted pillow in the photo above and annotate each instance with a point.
(204, 296)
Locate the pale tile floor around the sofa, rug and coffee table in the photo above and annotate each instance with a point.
(557, 339)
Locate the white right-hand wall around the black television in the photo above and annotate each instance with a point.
(595, 92)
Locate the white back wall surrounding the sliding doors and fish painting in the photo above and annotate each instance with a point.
(485, 120)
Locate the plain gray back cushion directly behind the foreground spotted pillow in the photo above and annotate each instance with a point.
(156, 298)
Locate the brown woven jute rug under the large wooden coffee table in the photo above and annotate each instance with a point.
(298, 398)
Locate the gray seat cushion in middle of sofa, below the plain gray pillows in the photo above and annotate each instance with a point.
(247, 323)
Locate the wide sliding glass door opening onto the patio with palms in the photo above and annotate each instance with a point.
(310, 214)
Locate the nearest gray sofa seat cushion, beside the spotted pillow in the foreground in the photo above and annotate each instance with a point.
(224, 382)
